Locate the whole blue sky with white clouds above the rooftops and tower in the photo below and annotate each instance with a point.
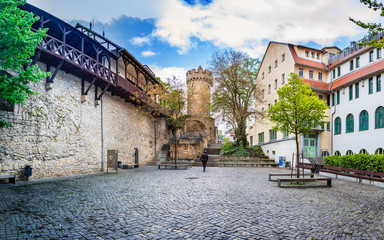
(173, 36)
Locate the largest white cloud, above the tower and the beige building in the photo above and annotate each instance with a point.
(246, 24)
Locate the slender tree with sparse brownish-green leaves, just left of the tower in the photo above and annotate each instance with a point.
(173, 97)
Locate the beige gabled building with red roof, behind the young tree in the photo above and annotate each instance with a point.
(279, 61)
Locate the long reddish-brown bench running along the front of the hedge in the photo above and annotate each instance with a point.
(356, 173)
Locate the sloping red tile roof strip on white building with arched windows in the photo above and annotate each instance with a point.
(357, 75)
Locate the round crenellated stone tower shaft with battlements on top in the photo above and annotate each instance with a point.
(199, 84)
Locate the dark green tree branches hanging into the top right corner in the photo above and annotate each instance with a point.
(372, 27)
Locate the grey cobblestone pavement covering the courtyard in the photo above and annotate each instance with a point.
(222, 203)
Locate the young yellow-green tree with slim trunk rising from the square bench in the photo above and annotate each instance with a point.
(297, 110)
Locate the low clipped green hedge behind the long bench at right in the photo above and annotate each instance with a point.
(369, 162)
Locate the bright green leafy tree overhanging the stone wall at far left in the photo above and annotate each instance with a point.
(17, 46)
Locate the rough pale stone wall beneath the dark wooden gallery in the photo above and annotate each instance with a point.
(58, 135)
